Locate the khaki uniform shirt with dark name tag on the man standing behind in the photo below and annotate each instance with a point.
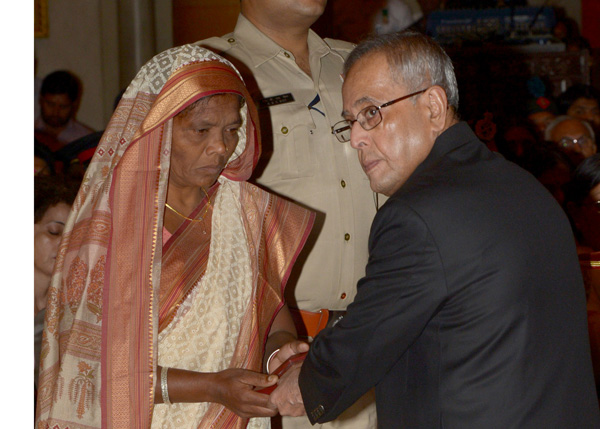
(304, 161)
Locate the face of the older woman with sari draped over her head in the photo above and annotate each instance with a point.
(203, 140)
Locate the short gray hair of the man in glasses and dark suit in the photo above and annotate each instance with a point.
(415, 61)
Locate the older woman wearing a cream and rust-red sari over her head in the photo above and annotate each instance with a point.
(168, 290)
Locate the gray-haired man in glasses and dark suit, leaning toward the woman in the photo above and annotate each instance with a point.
(472, 310)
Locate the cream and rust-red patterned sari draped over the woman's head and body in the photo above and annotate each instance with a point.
(118, 292)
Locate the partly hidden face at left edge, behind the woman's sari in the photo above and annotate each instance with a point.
(47, 234)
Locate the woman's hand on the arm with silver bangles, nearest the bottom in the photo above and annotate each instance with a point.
(234, 388)
